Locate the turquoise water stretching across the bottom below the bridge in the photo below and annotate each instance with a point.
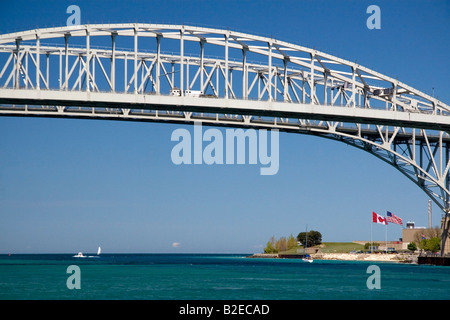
(208, 276)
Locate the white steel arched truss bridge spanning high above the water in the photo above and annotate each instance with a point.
(186, 74)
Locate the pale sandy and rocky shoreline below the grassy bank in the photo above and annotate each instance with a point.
(380, 257)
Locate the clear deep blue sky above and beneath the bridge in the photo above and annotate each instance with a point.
(71, 185)
